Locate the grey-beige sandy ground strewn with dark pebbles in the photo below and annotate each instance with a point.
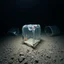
(49, 51)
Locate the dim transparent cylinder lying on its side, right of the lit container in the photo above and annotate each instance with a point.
(52, 30)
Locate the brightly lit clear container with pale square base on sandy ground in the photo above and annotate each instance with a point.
(31, 34)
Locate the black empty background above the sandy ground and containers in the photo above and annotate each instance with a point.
(16, 13)
